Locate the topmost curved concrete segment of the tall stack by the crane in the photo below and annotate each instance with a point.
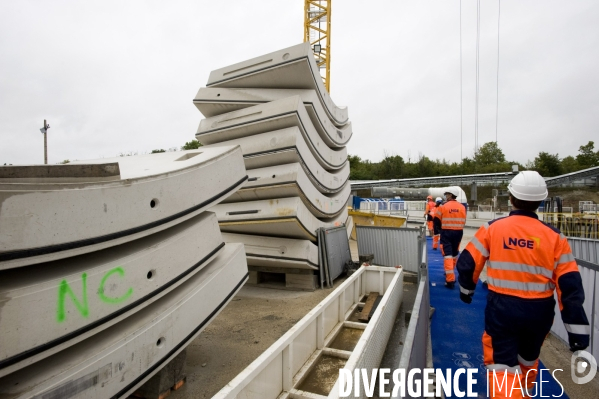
(290, 68)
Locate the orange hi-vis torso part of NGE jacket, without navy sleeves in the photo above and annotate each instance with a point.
(525, 256)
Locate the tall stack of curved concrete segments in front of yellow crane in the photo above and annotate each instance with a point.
(293, 140)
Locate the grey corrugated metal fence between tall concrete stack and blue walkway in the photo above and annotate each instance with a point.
(391, 246)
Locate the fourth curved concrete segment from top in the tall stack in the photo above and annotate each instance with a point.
(288, 146)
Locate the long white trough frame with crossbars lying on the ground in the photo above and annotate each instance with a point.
(305, 362)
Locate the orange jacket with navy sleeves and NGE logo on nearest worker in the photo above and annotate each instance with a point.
(528, 259)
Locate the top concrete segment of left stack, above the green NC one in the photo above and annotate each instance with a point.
(42, 222)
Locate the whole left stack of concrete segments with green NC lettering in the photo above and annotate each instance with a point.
(103, 263)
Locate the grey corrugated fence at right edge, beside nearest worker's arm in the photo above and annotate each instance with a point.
(586, 253)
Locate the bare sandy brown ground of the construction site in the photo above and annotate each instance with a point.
(258, 316)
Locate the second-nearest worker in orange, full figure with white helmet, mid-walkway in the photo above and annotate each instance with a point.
(450, 219)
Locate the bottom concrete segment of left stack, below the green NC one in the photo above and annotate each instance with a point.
(116, 361)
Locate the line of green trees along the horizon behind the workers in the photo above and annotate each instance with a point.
(489, 158)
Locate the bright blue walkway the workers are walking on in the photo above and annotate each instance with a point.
(457, 328)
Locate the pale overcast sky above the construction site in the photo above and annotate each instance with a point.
(116, 77)
